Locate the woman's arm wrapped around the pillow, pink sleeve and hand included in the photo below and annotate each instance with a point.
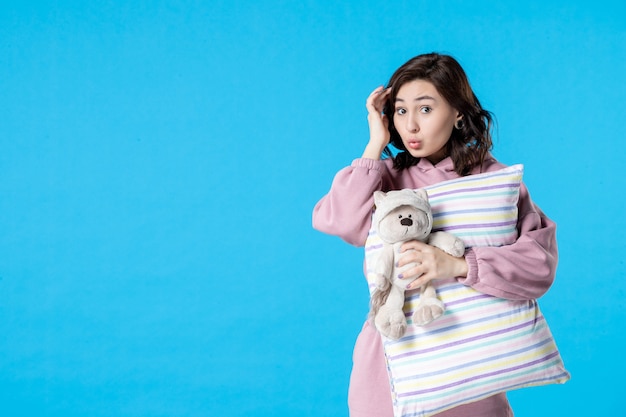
(520, 271)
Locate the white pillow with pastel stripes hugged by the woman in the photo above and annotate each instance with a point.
(482, 345)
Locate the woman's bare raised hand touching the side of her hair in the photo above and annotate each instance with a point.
(378, 123)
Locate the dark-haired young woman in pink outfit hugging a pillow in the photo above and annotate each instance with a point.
(431, 115)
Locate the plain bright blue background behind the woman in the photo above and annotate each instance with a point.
(159, 162)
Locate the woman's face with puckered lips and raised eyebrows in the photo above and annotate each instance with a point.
(424, 120)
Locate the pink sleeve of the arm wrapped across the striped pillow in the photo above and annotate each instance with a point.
(520, 271)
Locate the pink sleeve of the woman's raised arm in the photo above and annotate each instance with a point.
(347, 208)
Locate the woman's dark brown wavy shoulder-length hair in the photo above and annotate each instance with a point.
(467, 146)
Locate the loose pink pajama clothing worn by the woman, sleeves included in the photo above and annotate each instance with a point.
(523, 270)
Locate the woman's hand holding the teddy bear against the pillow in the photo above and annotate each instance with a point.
(429, 263)
